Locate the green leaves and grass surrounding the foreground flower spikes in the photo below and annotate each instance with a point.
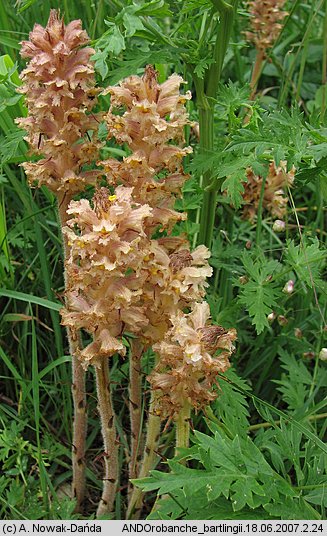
(256, 197)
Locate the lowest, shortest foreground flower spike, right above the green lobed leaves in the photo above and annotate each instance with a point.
(190, 357)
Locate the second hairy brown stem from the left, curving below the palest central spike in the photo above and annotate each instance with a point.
(108, 428)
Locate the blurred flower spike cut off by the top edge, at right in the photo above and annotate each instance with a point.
(266, 22)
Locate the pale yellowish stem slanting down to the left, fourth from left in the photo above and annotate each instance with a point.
(149, 461)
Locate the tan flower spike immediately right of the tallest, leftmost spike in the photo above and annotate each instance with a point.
(153, 127)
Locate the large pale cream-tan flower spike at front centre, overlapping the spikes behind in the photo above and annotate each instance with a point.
(106, 254)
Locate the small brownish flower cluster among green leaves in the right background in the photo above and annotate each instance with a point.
(274, 199)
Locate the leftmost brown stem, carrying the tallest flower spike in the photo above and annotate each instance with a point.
(78, 389)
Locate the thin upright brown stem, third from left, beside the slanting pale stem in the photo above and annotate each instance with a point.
(135, 399)
